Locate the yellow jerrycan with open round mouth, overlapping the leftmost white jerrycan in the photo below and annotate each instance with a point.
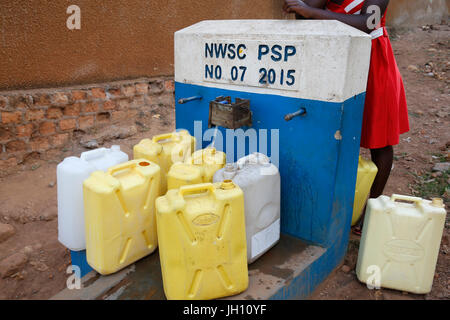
(120, 218)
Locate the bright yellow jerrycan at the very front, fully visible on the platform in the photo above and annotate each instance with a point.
(202, 244)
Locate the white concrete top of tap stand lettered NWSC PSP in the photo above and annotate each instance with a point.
(331, 61)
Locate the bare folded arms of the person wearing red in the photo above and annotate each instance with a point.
(357, 21)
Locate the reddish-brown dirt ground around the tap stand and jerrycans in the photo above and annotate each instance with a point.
(29, 204)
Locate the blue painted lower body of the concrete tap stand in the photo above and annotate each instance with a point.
(318, 170)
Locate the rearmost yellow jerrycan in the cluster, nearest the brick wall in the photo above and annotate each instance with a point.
(165, 150)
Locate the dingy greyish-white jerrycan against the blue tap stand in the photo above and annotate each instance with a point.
(260, 181)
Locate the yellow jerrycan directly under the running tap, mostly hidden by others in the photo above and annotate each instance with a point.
(199, 168)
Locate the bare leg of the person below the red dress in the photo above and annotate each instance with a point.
(383, 159)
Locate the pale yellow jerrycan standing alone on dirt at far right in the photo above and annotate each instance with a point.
(400, 243)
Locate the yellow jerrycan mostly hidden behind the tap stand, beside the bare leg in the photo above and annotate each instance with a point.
(367, 170)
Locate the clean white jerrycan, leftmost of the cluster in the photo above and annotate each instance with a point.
(70, 174)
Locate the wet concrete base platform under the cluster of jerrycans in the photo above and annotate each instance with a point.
(282, 273)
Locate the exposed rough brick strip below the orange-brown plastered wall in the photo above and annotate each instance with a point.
(35, 122)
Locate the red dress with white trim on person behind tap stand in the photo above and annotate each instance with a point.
(385, 111)
